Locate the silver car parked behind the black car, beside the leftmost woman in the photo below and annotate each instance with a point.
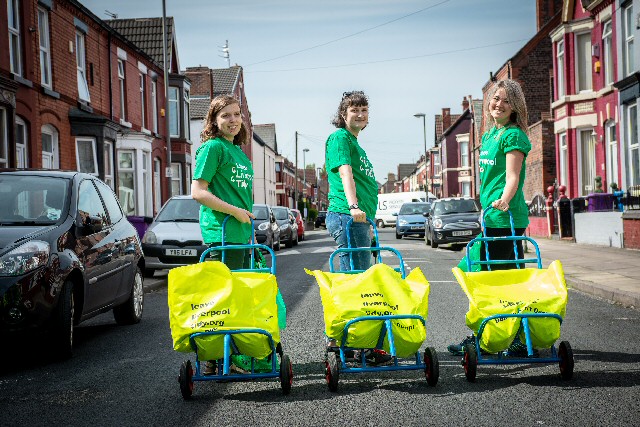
(174, 238)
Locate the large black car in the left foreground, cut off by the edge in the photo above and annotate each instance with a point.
(67, 253)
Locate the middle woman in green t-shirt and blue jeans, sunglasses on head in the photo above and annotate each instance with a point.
(353, 191)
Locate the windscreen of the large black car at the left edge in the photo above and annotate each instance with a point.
(33, 200)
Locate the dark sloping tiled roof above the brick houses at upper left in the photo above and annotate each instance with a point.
(146, 33)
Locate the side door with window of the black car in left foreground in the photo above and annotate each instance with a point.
(99, 252)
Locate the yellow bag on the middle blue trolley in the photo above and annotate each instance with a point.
(378, 291)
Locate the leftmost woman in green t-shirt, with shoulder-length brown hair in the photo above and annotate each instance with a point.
(223, 181)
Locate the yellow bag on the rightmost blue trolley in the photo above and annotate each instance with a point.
(526, 290)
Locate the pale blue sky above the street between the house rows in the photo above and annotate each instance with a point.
(299, 56)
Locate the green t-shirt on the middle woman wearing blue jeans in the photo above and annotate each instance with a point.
(342, 148)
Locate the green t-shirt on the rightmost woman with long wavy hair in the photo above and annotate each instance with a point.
(496, 143)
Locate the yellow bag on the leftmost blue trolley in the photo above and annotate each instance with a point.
(207, 296)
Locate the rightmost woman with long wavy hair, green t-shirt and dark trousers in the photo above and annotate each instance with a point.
(502, 173)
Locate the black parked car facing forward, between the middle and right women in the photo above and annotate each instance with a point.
(452, 220)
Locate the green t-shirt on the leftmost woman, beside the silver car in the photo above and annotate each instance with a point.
(230, 176)
